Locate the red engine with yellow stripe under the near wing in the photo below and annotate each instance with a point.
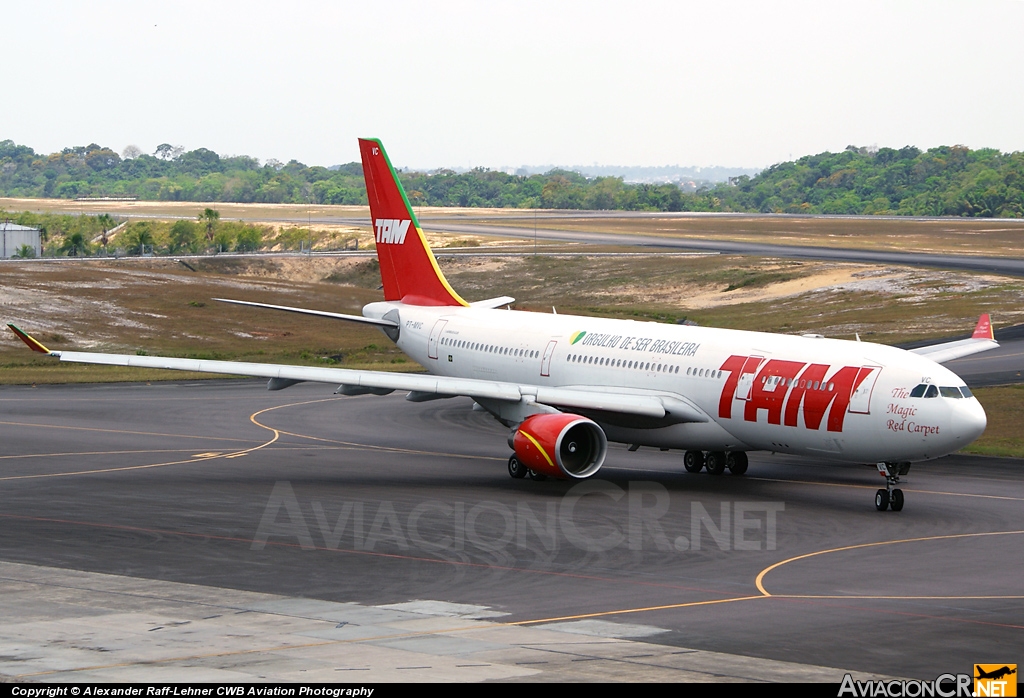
(565, 447)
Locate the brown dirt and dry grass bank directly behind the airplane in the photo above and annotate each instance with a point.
(131, 302)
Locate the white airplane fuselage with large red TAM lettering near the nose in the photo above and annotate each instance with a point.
(810, 397)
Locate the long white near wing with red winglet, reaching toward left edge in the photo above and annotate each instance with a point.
(420, 386)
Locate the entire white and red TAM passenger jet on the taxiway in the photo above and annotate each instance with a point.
(568, 385)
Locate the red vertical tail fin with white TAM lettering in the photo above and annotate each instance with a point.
(409, 270)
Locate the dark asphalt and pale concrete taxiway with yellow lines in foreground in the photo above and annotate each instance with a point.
(303, 535)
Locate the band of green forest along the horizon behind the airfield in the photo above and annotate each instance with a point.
(941, 182)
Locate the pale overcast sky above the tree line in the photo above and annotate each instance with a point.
(467, 84)
